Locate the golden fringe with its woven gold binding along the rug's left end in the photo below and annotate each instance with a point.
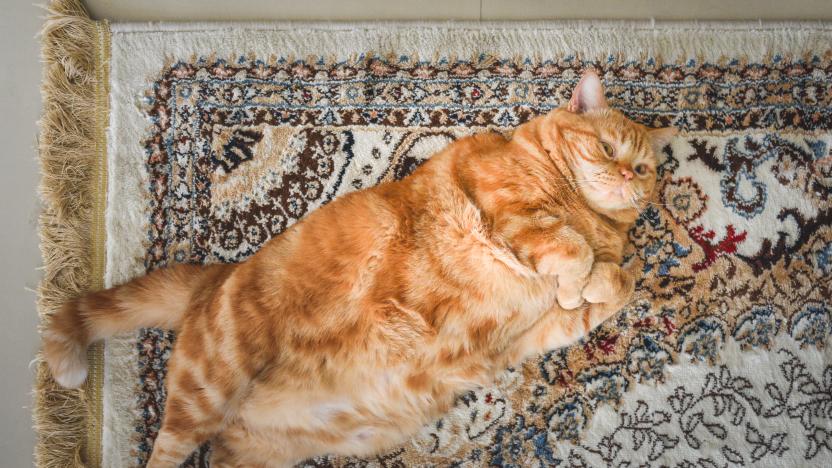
(72, 156)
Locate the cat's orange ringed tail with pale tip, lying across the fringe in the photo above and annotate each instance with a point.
(159, 299)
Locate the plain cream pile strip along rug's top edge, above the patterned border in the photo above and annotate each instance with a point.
(667, 41)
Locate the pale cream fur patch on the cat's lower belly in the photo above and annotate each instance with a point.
(377, 414)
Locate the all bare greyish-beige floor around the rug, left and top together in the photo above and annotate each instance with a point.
(19, 100)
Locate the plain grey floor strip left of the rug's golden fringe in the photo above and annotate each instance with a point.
(19, 107)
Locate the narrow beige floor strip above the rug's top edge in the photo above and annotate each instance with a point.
(185, 10)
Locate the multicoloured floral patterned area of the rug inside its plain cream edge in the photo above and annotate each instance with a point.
(735, 252)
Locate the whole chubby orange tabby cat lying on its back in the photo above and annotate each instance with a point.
(362, 322)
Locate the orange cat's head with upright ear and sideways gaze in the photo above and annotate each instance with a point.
(612, 158)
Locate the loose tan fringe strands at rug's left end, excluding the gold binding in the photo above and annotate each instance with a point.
(67, 154)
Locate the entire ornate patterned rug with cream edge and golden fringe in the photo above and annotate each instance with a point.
(170, 143)
